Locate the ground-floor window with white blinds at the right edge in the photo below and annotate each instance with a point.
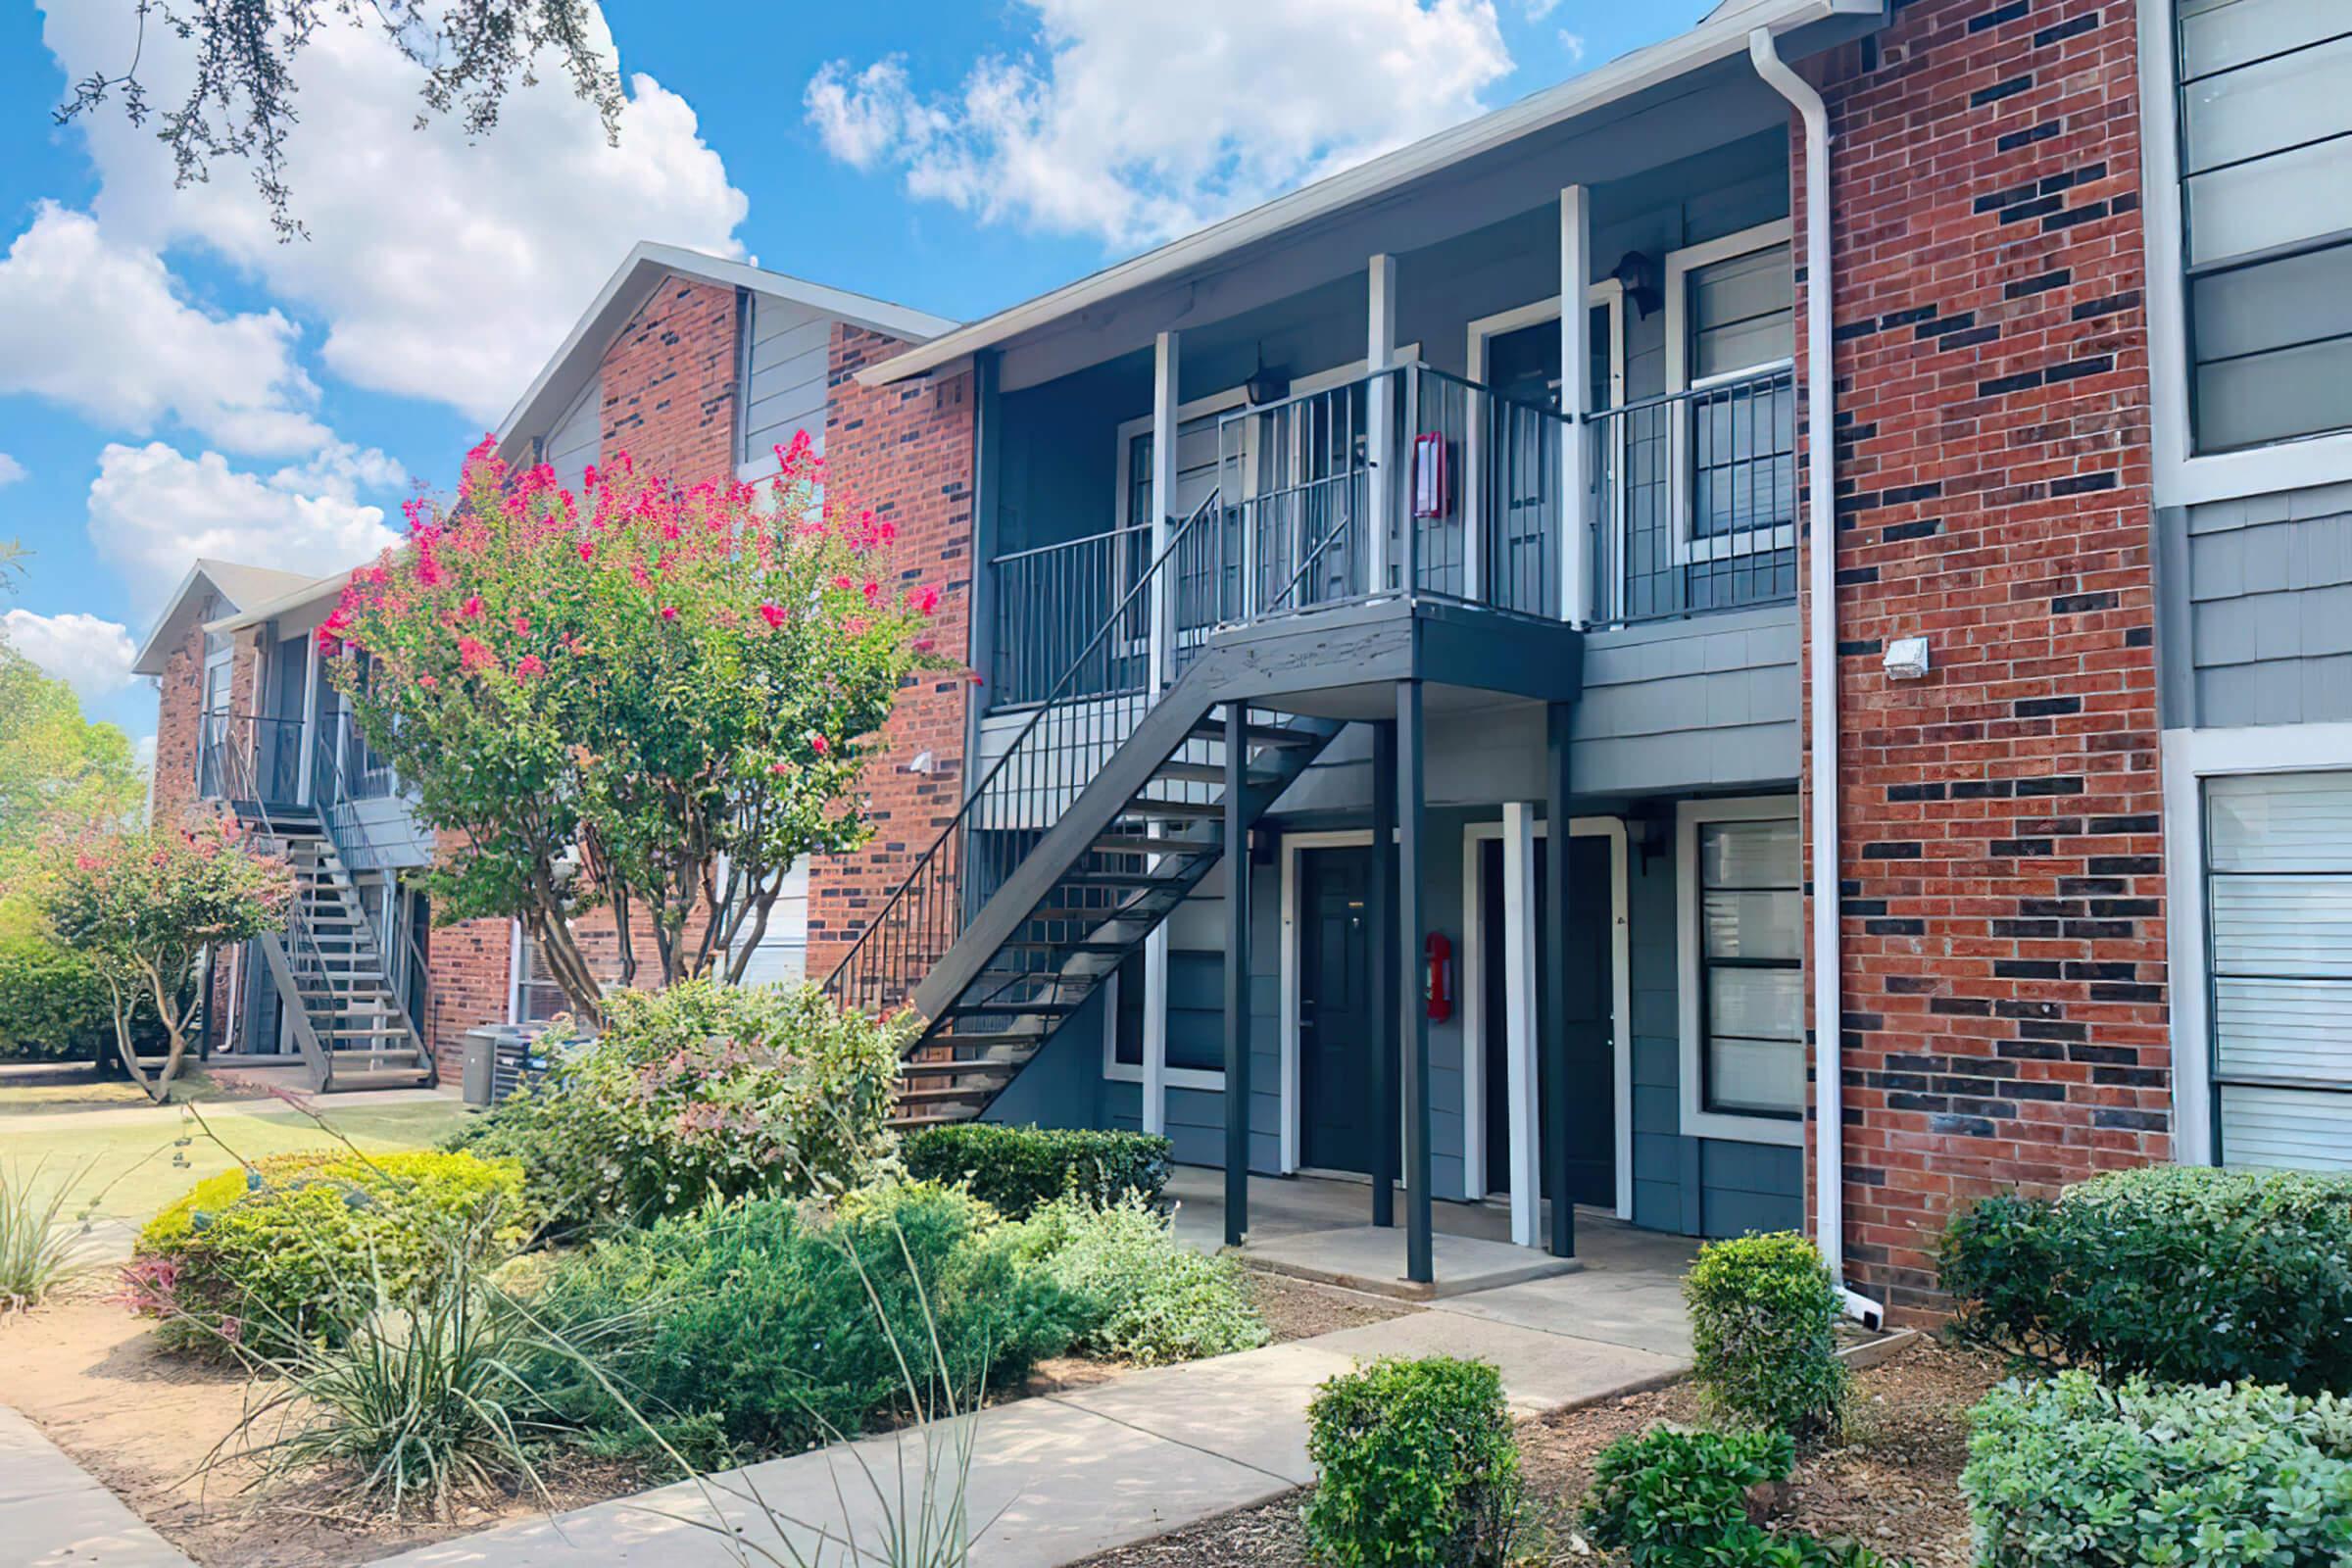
(2280, 934)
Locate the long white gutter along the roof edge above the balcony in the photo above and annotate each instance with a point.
(1720, 36)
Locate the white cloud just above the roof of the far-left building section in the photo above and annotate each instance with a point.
(154, 511)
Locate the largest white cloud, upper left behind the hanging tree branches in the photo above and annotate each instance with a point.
(443, 269)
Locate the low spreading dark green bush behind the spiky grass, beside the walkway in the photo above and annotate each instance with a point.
(768, 1327)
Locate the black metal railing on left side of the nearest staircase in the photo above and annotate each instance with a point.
(1074, 730)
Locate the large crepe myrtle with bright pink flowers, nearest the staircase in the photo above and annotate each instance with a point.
(643, 697)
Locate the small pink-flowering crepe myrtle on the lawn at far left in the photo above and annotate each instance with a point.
(149, 906)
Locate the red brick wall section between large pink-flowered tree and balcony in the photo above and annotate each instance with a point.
(904, 453)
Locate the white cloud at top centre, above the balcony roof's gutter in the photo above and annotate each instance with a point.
(1144, 121)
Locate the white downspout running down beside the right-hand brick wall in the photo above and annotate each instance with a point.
(1822, 643)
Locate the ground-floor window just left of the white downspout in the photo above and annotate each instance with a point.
(1751, 916)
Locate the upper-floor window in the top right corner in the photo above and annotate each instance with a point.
(2266, 126)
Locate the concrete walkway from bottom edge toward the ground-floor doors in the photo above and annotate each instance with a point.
(1062, 1477)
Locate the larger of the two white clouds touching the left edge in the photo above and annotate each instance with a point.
(102, 330)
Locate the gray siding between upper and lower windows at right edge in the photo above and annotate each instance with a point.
(2259, 610)
